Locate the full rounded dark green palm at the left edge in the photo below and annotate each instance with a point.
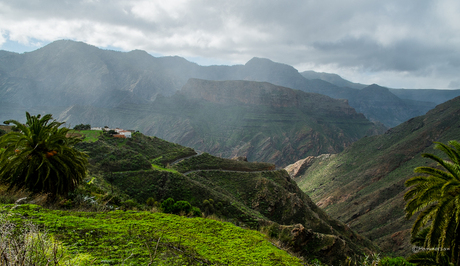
(40, 157)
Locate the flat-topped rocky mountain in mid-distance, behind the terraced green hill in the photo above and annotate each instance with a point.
(258, 120)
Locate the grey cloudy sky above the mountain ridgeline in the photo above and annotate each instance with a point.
(394, 43)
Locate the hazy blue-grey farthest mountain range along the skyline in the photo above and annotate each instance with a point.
(66, 73)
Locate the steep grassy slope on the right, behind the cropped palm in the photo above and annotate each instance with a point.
(364, 185)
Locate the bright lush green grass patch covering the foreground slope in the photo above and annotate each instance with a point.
(138, 238)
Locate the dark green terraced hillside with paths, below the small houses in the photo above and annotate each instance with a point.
(129, 173)
